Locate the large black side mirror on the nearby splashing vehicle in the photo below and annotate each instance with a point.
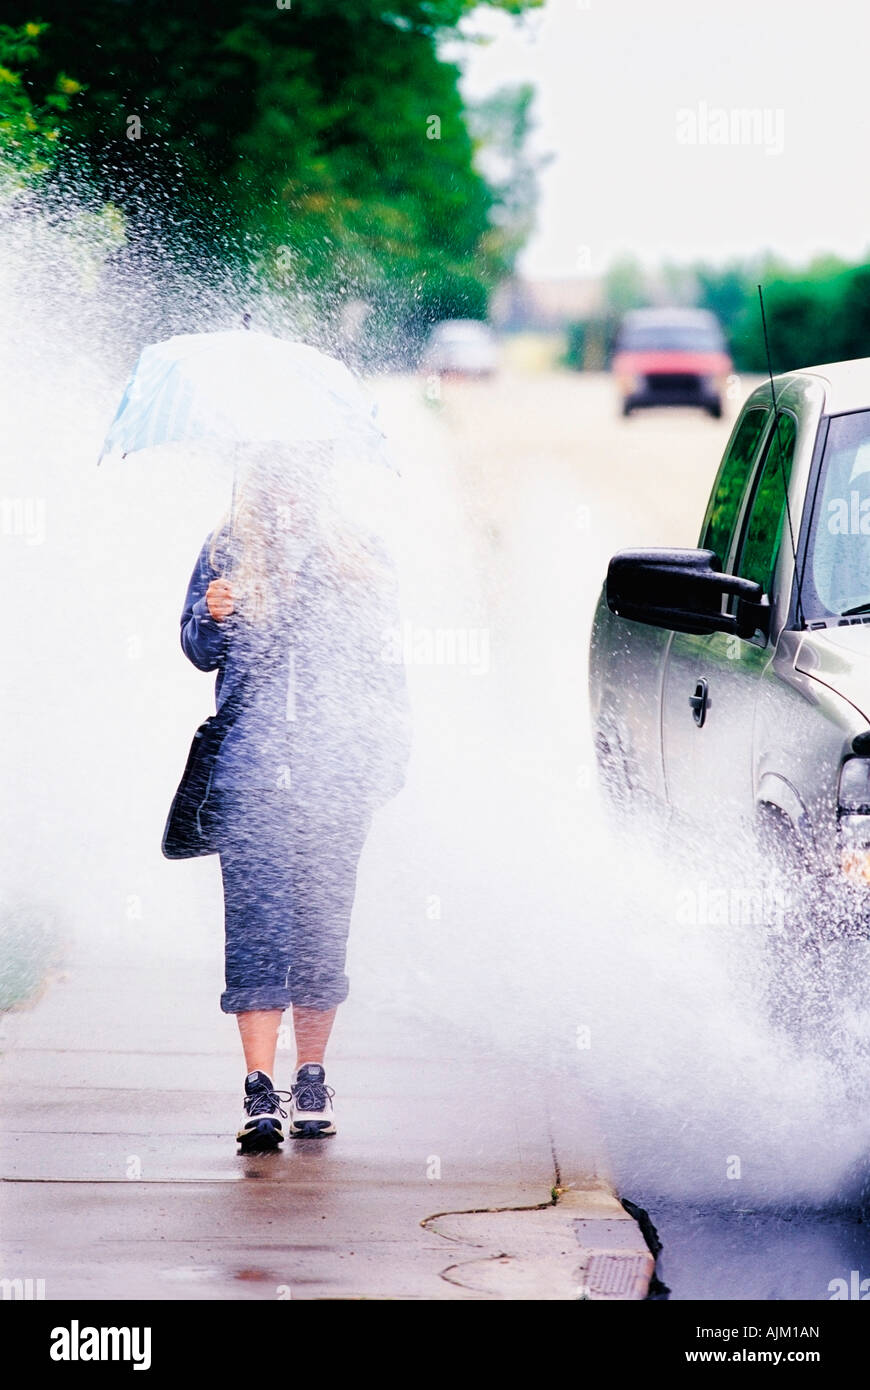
(682, 591)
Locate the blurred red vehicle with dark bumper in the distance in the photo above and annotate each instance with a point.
(671, 358)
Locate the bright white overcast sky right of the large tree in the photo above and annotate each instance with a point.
(640, 105)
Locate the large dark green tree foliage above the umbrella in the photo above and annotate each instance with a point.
(329, 140)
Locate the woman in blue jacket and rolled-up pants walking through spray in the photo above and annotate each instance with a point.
(295, 618)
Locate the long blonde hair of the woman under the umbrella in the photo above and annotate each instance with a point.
(281, 497)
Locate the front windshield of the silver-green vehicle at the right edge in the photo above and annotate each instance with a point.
(839, 565)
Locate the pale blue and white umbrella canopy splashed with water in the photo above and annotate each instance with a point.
(240, 387)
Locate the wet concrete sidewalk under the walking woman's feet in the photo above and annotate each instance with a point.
(122, 1093)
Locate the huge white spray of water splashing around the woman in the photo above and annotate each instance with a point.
(494, 892)
